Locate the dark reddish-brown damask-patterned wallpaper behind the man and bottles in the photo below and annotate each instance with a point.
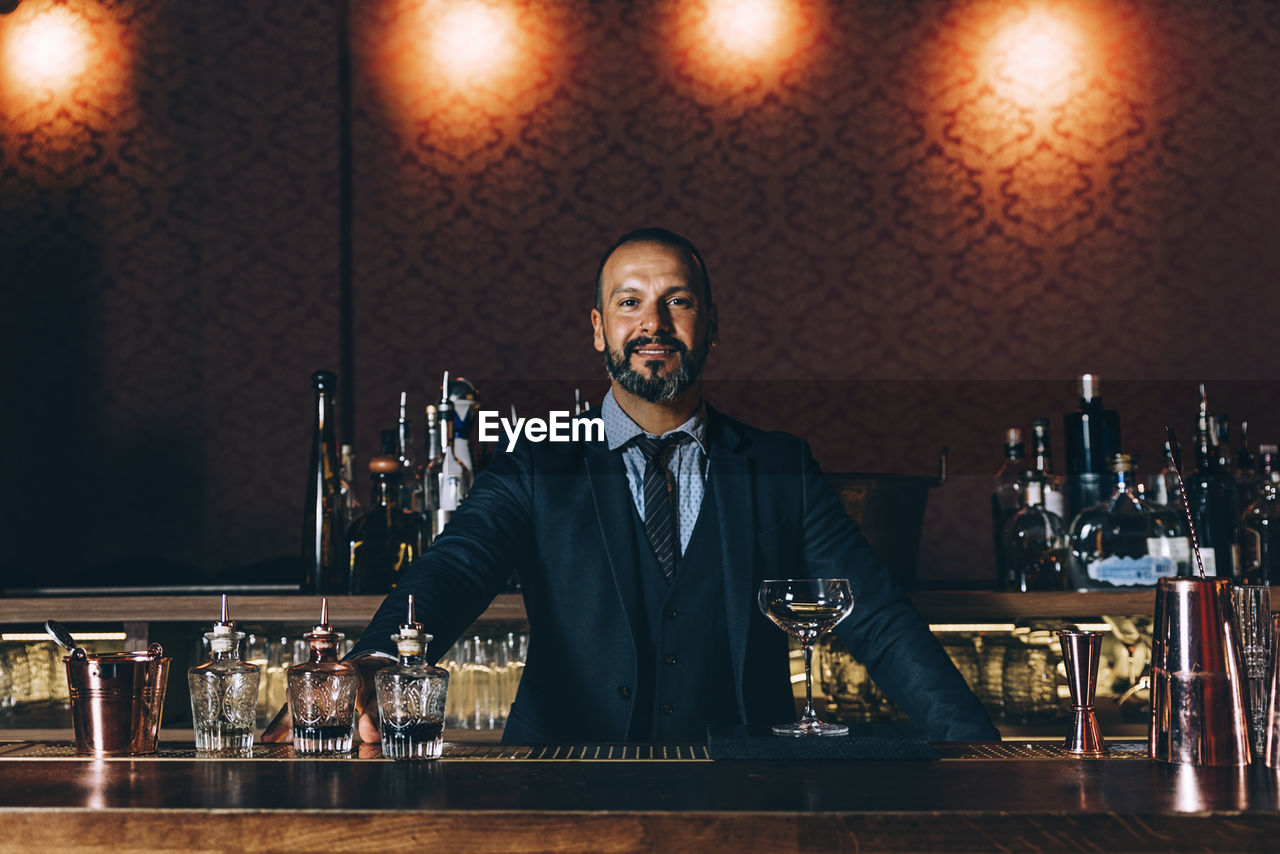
(922, 221)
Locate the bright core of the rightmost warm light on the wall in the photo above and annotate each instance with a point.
(1036, 60)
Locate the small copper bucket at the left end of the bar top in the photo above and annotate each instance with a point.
(117, 700)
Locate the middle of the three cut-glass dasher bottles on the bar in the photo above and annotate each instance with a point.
(323, 695)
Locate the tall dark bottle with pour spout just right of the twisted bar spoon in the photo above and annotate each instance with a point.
(1213, 501)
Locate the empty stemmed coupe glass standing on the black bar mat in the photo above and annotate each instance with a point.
(807, 609)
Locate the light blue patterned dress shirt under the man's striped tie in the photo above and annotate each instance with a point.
(685, 463)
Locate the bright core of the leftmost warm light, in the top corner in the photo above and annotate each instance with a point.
(48, 52)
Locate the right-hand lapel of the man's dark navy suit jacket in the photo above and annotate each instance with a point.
(730, 476)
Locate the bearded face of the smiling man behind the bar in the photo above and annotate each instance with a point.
(655, 327)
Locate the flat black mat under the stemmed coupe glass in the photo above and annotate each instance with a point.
(865, 742)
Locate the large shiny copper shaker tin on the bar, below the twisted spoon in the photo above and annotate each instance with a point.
(1197, 702)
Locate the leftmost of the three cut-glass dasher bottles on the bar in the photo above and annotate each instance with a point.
(225, 695)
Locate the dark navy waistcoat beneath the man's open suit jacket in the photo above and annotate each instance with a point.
(685, 669)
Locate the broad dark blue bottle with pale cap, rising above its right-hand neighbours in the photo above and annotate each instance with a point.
(1092, 440)
